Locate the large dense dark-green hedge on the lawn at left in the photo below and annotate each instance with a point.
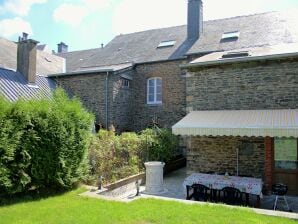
(43, 143)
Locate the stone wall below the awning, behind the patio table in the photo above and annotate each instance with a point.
(219, 154)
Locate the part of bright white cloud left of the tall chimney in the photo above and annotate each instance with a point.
(137, 15)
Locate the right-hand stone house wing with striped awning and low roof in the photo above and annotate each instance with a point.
(243, 114)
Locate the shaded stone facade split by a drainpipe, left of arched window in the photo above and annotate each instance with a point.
(91, 89)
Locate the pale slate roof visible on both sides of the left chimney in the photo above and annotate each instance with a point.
(46, 63)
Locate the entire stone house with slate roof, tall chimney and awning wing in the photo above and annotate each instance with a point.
(242, 67)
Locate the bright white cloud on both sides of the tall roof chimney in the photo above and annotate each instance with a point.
(137, 15)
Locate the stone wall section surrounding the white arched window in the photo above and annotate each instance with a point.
(173, 104)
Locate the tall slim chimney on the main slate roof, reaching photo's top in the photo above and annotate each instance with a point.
(194, 19)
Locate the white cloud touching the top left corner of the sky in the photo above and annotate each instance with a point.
(19, 7)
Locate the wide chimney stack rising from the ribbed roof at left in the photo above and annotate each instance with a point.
(26, 58)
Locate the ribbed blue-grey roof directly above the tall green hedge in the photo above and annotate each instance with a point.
(13, 86)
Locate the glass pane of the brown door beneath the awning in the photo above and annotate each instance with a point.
(285, 153)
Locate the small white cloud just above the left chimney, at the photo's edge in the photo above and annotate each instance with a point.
(11, 27)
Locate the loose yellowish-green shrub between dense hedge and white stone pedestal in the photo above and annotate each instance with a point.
(114, 157)
